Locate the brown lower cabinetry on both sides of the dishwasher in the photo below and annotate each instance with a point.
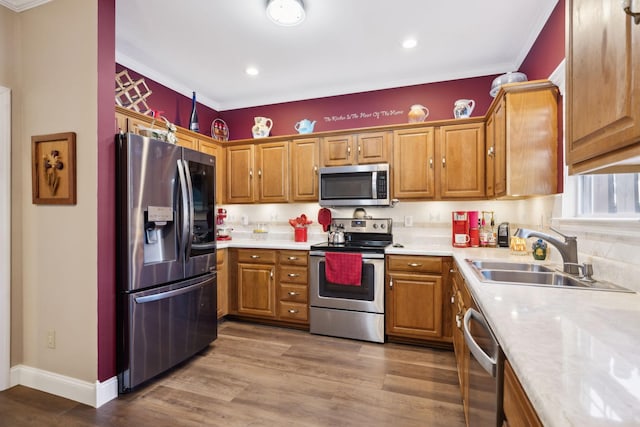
(518, 411)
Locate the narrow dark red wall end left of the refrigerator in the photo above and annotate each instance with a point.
(106, 194)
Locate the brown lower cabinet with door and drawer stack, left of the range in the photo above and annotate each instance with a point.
(269, 285)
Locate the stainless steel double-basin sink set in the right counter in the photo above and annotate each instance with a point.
(530, 274)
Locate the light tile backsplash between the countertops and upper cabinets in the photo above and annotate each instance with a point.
(613, 247)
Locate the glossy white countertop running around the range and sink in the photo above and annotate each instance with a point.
(575, 351)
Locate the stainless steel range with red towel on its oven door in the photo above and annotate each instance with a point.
(340, 306)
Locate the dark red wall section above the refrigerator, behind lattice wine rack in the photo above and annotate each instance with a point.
(175, 107)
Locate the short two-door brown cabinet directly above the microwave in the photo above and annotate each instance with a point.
(353, 149)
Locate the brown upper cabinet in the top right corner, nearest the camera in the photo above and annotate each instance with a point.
(603, 84)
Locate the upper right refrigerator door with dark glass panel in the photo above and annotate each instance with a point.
(200, 245)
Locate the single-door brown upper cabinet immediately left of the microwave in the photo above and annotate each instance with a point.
(305, 160)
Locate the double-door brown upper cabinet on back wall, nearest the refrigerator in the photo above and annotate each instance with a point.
(258, 173)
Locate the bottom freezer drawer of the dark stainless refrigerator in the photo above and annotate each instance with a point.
(164, 327)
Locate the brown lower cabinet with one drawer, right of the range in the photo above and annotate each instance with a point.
(415, 299)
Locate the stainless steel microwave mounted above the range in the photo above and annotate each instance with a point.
(357, 185)
